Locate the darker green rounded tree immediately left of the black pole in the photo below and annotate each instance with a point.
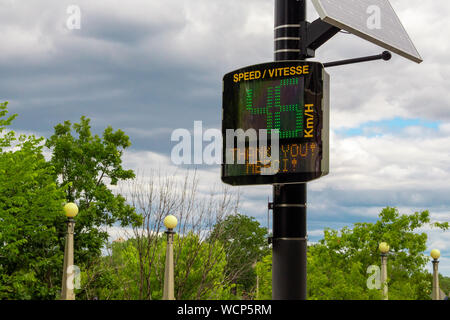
(245, 243)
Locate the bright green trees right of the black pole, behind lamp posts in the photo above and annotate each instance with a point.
(337, 265)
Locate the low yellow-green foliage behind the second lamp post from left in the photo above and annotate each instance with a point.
(117, 275)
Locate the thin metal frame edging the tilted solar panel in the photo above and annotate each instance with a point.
(363, 34)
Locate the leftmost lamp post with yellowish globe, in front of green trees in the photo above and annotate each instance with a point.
(67, 293)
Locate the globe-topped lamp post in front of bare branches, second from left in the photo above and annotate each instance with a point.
(170, 222)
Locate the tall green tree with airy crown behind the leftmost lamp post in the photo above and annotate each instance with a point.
(86, 165)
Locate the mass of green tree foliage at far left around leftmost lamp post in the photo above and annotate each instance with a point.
(32, 194)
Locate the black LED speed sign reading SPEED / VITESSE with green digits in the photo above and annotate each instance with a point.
(289, 98)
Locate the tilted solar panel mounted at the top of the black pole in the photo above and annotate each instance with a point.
(372, 20)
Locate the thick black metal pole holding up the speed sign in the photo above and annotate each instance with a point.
(289, 243)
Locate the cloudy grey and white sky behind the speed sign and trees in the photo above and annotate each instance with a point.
(151, 66)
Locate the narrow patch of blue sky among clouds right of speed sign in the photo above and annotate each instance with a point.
(392, 126)
